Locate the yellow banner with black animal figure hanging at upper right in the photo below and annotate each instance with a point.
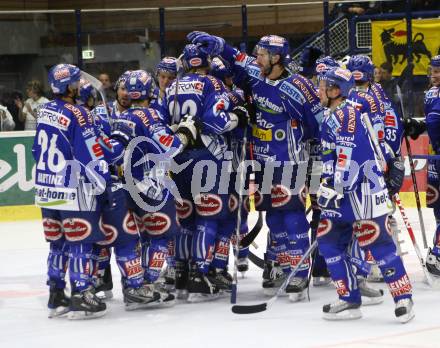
(389, 43)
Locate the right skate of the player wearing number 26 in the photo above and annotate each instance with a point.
(86, 305)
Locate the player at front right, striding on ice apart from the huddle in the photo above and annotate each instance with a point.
(354, 200)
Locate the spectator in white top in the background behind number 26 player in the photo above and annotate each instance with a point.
(27, 113)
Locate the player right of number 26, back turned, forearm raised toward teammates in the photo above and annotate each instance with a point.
(152, 203)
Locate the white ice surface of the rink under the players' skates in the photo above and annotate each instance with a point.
(23, 320)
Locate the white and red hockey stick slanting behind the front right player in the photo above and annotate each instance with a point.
(396, 197)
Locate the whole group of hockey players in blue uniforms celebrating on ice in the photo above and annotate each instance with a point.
(155, 178)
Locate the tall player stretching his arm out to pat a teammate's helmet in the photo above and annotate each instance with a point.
(287, 114)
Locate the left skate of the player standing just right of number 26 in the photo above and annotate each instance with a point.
(142, 297)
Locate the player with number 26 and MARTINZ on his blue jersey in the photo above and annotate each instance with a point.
(71, 192)
